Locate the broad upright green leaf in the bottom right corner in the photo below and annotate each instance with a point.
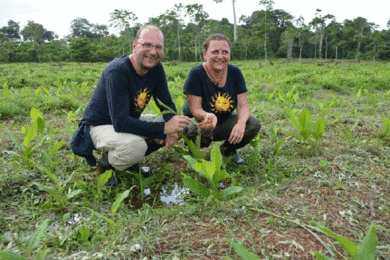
(367, 249)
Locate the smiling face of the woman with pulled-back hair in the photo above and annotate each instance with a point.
(217, 55)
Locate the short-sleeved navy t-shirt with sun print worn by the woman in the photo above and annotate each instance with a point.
(220, 101)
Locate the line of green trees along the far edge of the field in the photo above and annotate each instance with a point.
(265, 34)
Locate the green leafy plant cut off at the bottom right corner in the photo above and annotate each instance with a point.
(365, 251)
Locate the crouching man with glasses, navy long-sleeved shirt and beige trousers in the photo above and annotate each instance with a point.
(112, 122)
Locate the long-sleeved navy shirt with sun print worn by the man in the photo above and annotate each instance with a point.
(121, 95)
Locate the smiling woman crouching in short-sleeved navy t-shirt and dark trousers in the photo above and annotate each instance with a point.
(214, 90)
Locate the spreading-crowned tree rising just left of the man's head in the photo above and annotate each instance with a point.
(123, 21)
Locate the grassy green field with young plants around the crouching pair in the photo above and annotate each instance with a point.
(322, 159)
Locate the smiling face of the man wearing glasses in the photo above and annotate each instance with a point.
(149, 48)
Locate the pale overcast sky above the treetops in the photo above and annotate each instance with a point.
(57, 15)
